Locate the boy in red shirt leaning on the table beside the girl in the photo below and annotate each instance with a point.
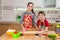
(42, 23)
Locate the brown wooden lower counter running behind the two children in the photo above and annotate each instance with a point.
(16, 25)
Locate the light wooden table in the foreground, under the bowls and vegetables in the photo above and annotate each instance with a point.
(24, 37)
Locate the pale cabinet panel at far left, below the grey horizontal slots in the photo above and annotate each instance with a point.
(9, 15)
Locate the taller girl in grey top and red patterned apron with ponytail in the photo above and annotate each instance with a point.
(27, 20)
